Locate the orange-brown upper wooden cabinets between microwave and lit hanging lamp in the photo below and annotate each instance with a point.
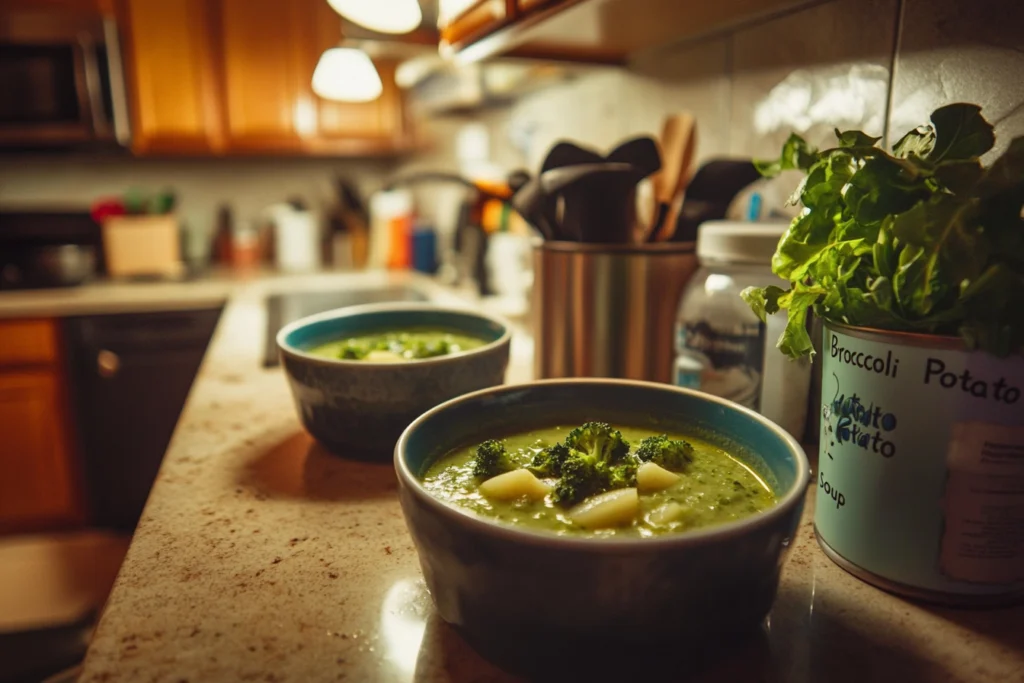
(234, 77)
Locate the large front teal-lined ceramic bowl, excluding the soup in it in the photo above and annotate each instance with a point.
(501, 584)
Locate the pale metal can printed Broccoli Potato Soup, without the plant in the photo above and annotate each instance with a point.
(921, 467)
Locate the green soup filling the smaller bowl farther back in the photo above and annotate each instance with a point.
(395, 347)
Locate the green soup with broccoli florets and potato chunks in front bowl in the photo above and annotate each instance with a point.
(601, 481)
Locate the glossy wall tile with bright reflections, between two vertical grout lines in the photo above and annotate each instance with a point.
(812, 72)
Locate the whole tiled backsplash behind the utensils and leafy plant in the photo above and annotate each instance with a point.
(881, 66)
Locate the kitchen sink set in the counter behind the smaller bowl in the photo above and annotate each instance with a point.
(283, 309)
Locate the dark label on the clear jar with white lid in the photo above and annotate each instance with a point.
(732, 362)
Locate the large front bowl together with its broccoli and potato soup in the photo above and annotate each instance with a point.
(584, 511)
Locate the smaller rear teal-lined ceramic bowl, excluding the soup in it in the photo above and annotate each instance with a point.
(360, 409)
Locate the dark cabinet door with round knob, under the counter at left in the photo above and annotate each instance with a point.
(132, 376)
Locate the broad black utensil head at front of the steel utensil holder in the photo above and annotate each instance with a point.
(600, 201)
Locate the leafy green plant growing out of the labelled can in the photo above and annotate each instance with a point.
(923, 240)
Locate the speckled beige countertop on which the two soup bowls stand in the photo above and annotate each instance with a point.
(261, 558)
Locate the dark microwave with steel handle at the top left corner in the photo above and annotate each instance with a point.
(62, 82)
